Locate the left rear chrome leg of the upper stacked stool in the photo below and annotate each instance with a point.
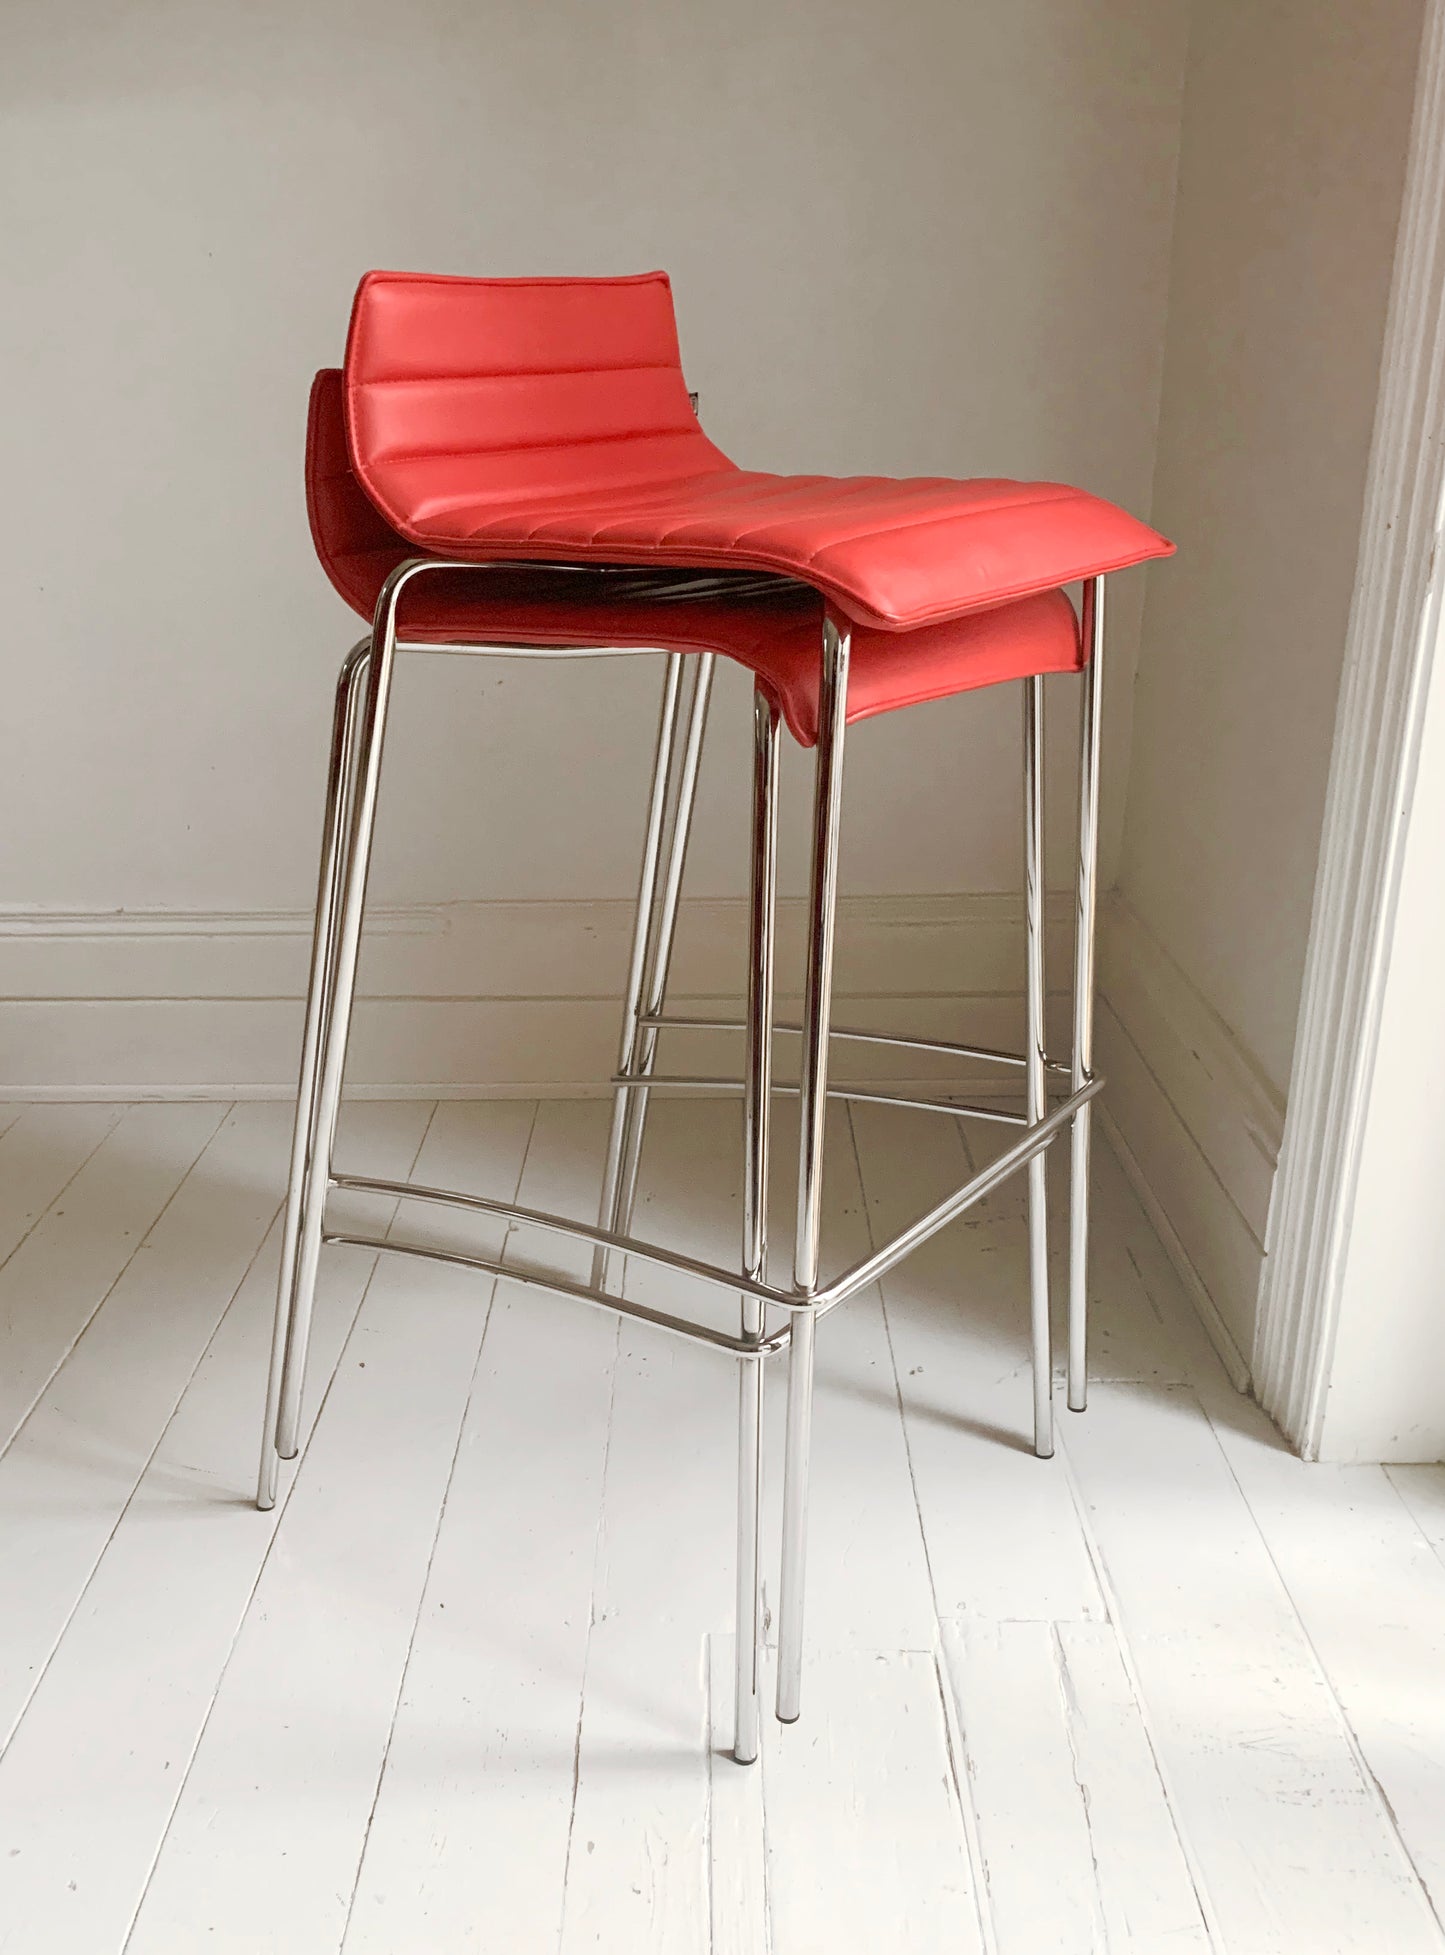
(337, 1010)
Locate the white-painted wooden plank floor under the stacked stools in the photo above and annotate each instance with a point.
(468, 1686)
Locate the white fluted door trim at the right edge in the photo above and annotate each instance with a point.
(1374, 773)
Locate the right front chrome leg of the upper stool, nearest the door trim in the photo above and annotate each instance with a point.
(1094, 636)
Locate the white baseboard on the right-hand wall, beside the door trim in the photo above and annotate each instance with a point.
(1194, 1123)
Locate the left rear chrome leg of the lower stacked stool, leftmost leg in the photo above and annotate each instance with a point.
(320, 990)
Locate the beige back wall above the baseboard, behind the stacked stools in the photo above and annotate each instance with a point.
(912, 238)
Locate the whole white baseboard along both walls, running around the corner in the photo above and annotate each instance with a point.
(521, 1000)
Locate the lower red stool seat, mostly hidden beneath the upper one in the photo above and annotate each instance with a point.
(769, 625)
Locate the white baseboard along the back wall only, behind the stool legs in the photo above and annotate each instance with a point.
(470, 1000)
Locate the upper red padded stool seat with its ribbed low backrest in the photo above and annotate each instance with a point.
(548, 419)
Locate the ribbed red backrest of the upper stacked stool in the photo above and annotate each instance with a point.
(507, 392)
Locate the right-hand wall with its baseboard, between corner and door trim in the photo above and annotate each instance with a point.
(1295, 130)
